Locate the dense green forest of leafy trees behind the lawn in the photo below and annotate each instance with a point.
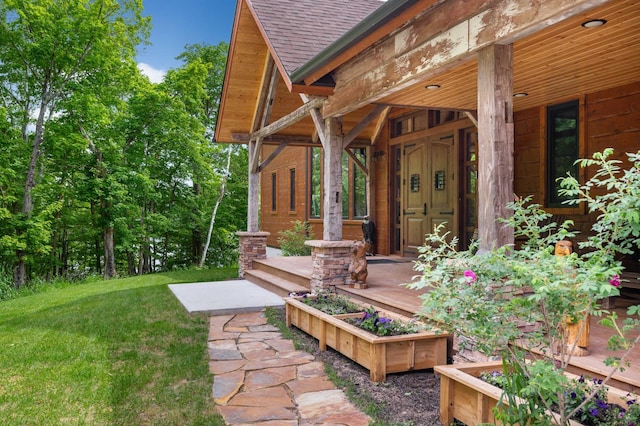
(101, 171)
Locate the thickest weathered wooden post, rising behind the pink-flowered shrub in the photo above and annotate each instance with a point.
(495, 144)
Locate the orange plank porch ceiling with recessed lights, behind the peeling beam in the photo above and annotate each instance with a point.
(558, 63)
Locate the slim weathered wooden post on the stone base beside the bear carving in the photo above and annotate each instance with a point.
(333, 180)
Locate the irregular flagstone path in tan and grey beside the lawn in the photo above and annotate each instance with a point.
(260, 379)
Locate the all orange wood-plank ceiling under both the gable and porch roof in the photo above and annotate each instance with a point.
(558, 63)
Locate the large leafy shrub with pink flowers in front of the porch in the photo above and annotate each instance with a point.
(515, 302)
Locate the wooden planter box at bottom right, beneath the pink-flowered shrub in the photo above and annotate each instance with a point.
(466, 398)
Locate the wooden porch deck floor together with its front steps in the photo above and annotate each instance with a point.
(386, 280)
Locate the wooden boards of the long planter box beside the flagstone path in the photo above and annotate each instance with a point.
(380, 355)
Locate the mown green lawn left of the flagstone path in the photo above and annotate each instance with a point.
(109, 352)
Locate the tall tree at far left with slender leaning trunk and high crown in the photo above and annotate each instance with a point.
(48, 50)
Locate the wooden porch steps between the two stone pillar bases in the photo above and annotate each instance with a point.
(279, 281)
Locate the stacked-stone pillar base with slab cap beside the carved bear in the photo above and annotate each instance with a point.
(331, 261)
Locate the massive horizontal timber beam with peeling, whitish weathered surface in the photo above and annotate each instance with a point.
(438, 40)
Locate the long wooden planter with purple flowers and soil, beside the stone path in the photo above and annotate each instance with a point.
(368, 336)
